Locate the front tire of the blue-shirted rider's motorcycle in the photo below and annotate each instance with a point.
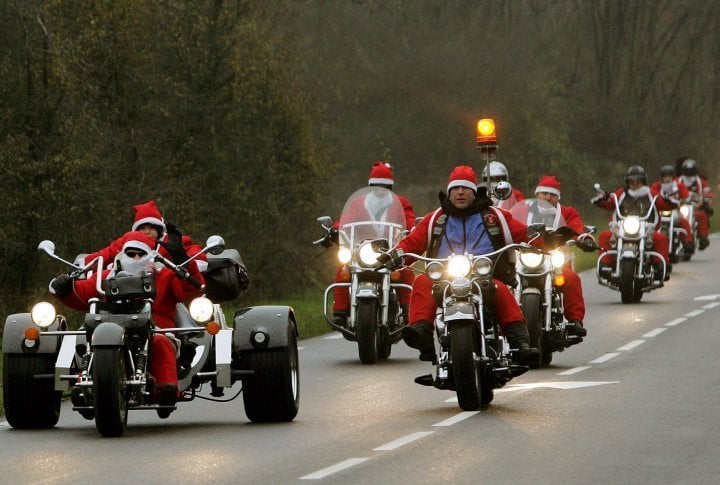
(466, 371)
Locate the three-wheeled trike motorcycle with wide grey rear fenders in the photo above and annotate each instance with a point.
(103, 365)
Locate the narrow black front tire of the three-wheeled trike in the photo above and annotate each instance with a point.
(109, 392)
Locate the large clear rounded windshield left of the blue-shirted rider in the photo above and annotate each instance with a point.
(372, 213)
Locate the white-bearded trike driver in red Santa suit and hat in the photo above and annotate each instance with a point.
(170, 290)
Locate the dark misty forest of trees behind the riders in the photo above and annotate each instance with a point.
(251, 118)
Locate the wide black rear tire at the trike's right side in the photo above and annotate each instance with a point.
(272, 393)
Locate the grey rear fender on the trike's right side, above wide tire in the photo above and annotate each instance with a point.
(272, 320)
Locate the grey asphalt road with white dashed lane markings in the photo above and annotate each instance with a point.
(635, 403)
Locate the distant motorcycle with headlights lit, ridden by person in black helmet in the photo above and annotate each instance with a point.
(632, 271)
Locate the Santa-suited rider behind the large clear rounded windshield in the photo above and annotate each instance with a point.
(380, 175)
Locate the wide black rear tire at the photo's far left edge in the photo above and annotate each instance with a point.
(30, 402)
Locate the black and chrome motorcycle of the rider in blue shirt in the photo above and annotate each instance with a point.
(474, 357)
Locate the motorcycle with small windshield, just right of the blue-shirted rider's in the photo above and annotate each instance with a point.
(540, 279)
